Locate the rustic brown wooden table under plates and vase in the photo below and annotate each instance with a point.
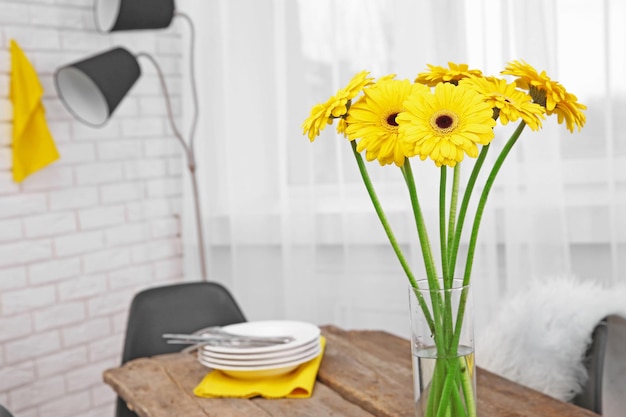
(363, 373)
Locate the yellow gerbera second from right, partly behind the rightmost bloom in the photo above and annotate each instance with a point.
(508, 102)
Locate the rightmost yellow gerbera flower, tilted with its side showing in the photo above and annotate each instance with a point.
(550, 94)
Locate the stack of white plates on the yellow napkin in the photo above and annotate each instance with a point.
(264, 361)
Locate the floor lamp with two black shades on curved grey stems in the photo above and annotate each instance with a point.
(92, 88)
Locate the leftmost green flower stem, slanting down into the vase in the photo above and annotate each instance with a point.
(392, 239)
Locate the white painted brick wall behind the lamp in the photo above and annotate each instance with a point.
(81, 237)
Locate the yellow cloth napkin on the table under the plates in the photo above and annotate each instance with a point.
(296, 384)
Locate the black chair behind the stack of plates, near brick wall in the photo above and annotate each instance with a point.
(177, 308)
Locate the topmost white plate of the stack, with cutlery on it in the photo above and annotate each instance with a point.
(302, 333)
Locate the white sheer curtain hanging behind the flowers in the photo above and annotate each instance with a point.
(289, 225)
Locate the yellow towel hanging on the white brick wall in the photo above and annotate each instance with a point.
(33, 145)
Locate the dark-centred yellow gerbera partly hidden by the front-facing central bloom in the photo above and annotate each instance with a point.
(372, 120)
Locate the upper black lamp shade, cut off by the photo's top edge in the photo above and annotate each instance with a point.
(114, 15)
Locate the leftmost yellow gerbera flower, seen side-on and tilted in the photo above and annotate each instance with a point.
(336, 106)
